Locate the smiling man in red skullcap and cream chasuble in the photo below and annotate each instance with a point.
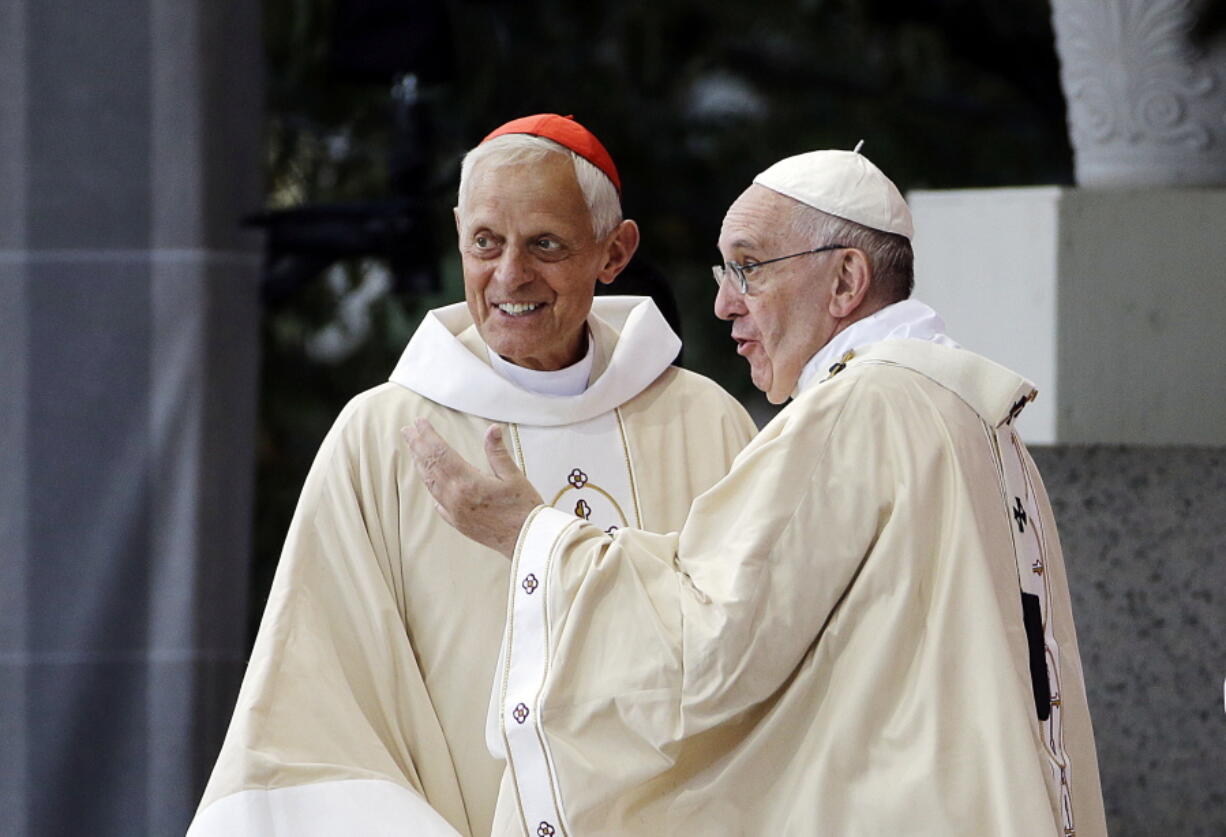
(364, 709)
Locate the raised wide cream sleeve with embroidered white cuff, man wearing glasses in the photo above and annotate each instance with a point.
(647, 640)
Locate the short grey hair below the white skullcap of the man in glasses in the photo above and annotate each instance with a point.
(889, 254)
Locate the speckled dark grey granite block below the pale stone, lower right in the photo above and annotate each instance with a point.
(1144, 537)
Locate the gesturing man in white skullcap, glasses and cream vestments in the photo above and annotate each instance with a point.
(862, 631)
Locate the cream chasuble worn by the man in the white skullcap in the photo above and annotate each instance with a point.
(832, 644)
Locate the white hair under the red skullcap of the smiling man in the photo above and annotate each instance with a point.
(600, 195)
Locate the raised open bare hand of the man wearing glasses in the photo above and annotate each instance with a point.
(490, 509)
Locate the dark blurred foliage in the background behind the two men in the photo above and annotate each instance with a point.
(692, 99)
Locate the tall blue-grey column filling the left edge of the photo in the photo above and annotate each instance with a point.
(129, 149)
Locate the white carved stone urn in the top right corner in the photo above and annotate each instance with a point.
(1146, 107)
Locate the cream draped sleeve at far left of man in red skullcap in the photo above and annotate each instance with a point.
(334, 718)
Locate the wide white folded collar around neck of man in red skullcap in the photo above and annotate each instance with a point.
(630, 331)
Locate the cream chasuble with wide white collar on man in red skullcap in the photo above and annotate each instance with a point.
(365, 703)
